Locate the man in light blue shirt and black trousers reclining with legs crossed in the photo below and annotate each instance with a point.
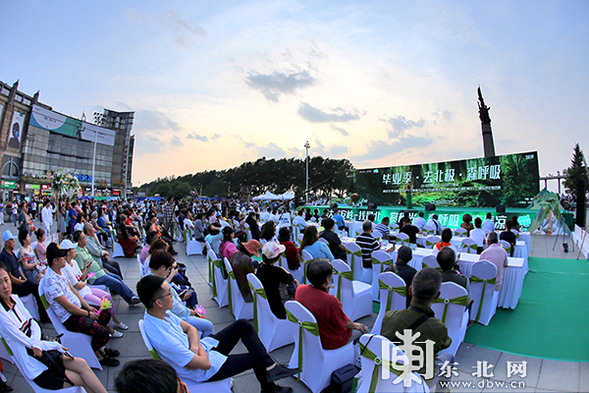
(209, 359)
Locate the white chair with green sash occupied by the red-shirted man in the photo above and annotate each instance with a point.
(316, 363)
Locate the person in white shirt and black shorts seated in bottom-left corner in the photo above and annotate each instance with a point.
(23, 335)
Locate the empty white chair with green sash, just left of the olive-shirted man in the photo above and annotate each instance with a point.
(393, 296)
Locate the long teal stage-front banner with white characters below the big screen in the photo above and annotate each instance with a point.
(447, 216)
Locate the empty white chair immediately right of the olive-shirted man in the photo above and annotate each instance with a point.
(450, 308)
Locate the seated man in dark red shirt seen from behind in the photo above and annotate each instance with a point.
(335, 328)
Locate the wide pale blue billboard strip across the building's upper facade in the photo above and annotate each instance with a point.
(56, 122)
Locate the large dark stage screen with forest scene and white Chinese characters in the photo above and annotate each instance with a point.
(511, 180)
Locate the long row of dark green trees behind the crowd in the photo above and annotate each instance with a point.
(278, 176)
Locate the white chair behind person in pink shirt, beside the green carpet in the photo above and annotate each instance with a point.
(482, 290)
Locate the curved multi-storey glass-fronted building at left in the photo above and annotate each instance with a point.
(35, 141)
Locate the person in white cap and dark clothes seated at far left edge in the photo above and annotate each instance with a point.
(21, 286)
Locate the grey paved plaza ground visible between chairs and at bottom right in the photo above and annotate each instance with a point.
(542, 375)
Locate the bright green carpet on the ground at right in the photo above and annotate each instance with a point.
(551, 320)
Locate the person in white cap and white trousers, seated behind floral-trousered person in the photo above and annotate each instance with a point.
(91, 294)
